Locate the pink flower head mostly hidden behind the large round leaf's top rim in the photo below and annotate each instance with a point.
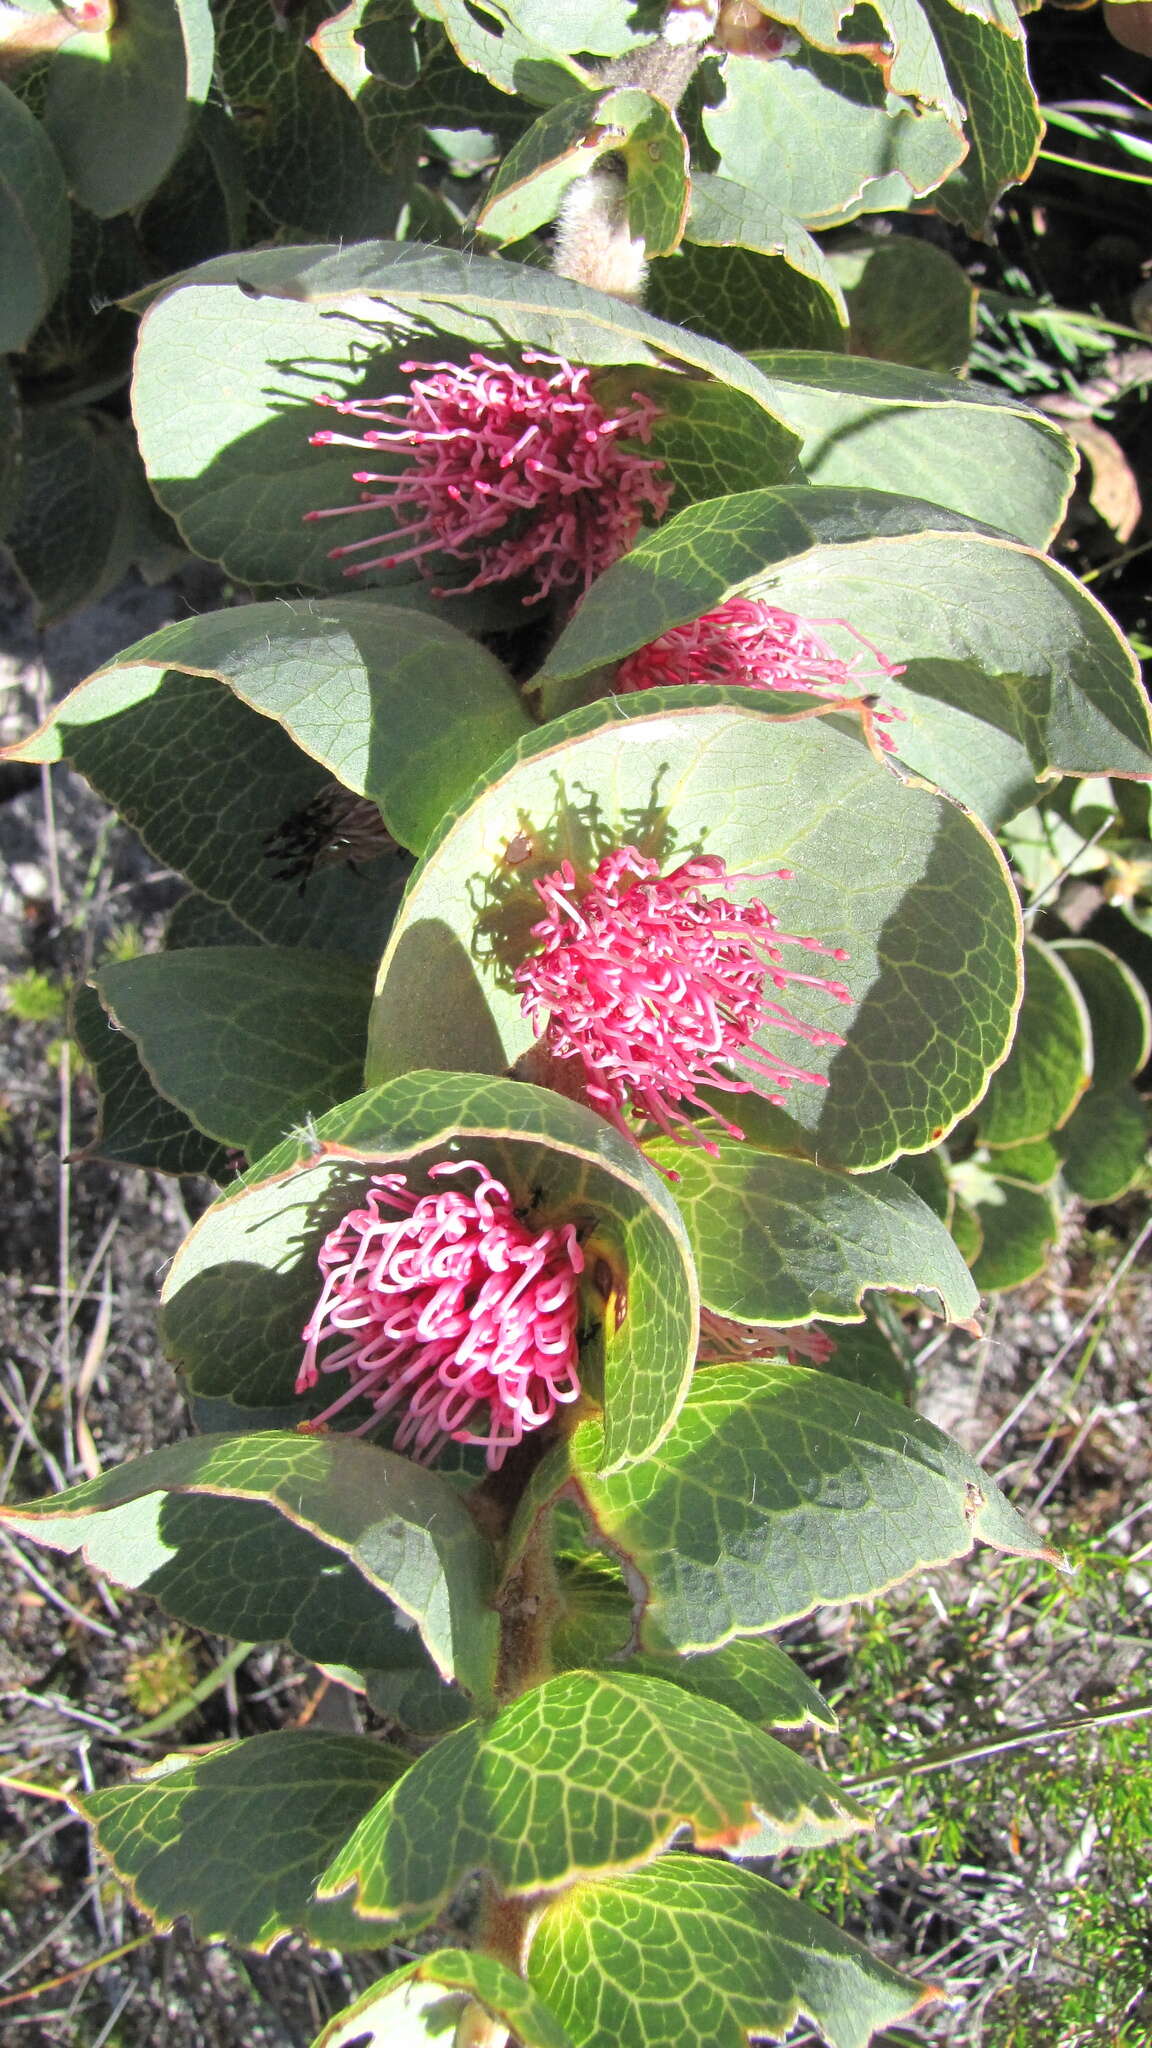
(753, 646)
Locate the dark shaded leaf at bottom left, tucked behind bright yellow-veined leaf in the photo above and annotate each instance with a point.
(235, 1842)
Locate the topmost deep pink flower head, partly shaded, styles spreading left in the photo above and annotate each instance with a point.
(511, 474)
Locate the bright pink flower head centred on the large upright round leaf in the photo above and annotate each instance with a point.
(657, 984)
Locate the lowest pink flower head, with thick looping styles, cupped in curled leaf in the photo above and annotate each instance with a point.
(450, 1308)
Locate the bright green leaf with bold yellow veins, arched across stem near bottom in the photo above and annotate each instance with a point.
(589, 1773)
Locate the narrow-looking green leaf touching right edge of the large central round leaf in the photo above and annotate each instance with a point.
(1051, 1064)
